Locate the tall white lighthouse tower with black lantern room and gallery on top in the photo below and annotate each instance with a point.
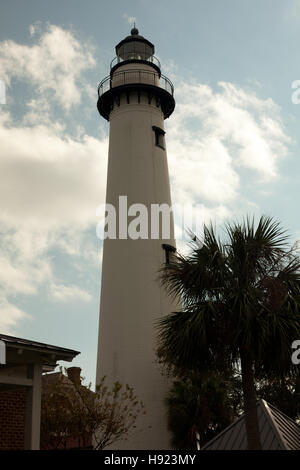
(136, 99)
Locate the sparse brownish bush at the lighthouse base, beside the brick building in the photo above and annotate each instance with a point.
(73, 411)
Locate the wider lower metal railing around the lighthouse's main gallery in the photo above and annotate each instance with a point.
(127, 77)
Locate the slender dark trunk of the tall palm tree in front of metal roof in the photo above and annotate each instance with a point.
(249, 393)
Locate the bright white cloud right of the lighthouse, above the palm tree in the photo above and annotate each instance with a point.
(213, 135)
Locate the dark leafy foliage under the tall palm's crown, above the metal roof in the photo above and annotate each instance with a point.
(207, 406)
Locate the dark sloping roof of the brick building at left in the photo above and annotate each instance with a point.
(58, 352)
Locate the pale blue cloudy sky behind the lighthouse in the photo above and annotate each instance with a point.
(232, 141)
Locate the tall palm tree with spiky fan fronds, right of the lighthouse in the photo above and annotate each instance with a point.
(240, 307)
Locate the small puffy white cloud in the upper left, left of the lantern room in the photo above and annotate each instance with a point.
(54, 64)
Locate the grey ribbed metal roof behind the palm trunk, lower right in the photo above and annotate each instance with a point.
(277, 432)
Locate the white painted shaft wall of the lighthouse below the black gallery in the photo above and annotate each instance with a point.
(131, 297)
